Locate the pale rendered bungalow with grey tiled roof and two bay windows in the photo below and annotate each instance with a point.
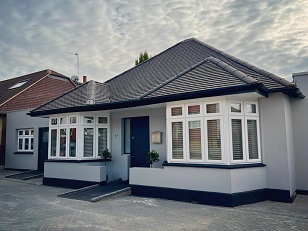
(223, 129)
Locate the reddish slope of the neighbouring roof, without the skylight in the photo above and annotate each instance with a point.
(40, 93)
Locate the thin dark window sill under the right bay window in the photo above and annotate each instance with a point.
(221, 166)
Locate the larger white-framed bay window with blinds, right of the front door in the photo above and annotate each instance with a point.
(222, 132)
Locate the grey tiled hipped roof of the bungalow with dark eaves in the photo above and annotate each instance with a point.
(189, 69)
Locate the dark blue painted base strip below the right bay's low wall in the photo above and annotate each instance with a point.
(212, 198)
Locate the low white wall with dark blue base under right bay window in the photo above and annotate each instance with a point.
(214, 186)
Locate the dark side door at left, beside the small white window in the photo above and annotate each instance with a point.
(43, 148)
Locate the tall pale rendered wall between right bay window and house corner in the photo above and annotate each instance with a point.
(277, 142)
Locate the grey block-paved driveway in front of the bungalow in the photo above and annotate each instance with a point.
(30, 206)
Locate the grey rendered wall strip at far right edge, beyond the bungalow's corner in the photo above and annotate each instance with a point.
(300, 130)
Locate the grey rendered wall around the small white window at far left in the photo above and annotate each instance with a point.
(20, 120)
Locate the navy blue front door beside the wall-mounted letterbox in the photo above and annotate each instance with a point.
(140, 141)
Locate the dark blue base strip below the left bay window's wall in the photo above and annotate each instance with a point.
(67, 183)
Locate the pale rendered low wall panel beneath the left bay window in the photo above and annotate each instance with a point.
(85, 171)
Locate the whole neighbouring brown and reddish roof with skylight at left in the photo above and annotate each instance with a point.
(32, 90)
